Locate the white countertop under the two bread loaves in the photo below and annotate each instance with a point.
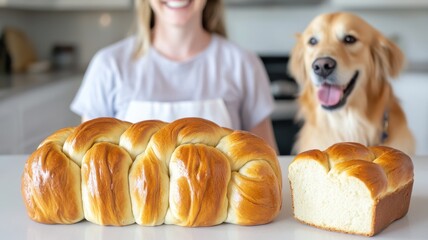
(15, 224)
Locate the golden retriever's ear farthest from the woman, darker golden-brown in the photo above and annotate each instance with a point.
(387, 56)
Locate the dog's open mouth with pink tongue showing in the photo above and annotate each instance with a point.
(333, 96)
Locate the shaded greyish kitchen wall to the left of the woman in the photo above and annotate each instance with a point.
(87, 30)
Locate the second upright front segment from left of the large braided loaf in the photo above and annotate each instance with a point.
(105, 190)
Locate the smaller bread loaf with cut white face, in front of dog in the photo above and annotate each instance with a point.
(351, 188)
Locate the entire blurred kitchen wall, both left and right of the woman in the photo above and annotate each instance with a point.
(266, 30)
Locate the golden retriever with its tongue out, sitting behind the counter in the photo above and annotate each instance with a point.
(343, 66)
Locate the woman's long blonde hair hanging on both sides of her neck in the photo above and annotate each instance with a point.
(212, 22)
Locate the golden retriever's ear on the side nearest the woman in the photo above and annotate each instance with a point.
(296, 65)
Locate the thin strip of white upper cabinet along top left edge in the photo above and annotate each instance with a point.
(67, 4)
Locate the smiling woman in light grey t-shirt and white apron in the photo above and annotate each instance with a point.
(179, 64)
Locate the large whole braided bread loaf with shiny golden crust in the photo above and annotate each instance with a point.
(190, 172)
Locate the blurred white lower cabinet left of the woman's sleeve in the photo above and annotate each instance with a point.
(29, 117)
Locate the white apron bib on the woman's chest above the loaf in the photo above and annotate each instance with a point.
(213, 109)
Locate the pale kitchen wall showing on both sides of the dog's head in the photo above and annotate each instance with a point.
(272, 29)
